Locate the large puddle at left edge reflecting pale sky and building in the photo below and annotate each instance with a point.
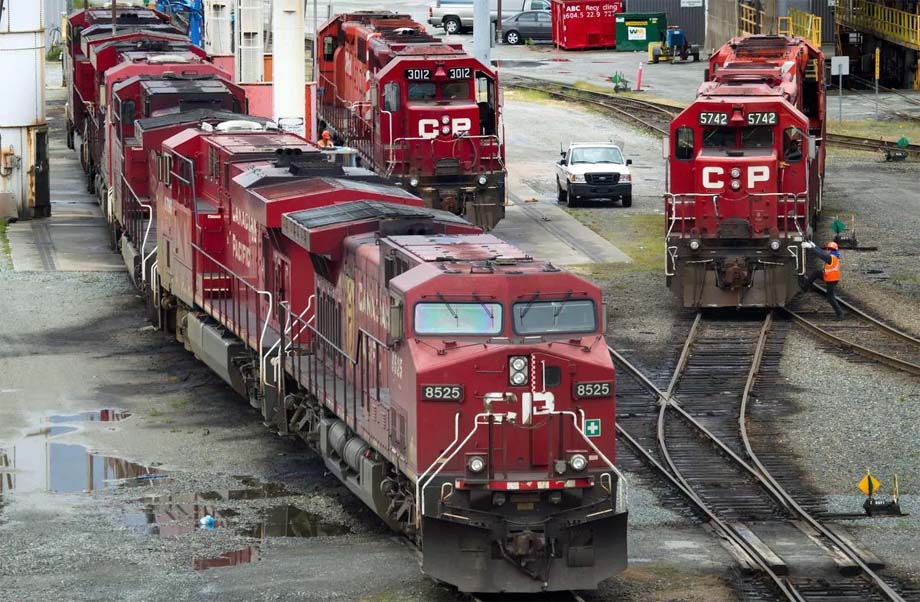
(37, 463)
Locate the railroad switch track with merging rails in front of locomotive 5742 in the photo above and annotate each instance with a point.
(706, 454)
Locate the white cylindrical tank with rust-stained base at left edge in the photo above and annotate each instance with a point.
(24, 178)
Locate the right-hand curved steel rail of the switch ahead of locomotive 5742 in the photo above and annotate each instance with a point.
(790, 502)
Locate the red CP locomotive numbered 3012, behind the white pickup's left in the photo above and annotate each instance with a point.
(421, 112)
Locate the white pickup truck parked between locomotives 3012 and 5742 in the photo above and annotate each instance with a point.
(593, 171)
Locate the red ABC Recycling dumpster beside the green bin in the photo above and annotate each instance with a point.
(580, 24)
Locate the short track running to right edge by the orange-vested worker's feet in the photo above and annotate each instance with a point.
(858, 333)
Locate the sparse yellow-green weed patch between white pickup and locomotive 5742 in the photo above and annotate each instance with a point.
(641, 236)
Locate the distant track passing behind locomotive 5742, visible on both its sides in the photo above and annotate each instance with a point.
(656, 116)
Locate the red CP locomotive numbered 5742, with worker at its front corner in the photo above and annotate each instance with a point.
(745, 174)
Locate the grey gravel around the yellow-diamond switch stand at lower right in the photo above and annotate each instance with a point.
(856, 416)
